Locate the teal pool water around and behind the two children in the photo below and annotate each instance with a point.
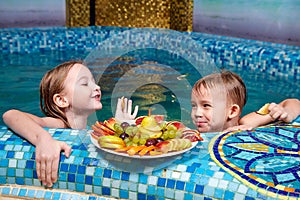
(156, 79)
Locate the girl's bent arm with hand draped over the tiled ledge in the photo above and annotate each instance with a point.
(47, 149)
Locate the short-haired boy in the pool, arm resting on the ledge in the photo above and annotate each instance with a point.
(217, 103)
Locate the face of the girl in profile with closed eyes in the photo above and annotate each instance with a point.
(81, 91)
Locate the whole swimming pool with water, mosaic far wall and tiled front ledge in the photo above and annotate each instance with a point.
(161, 67)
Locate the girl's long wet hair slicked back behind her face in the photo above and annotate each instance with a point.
(51, 84)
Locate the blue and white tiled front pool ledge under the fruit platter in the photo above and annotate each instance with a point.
(193, 175)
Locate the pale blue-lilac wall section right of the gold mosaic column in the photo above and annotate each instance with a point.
(269, 20)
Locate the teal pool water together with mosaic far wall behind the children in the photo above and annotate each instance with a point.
(173, 72)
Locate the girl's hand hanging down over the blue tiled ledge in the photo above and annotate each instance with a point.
(47, 159)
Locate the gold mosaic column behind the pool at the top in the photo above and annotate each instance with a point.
(176, 15)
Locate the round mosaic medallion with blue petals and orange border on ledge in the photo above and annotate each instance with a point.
(265, 159)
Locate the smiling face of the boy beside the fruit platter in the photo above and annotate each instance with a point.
(209, 111)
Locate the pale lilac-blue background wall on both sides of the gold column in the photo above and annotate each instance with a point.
(267, 20)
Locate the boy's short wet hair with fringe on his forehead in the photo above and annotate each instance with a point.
(228, 82)
